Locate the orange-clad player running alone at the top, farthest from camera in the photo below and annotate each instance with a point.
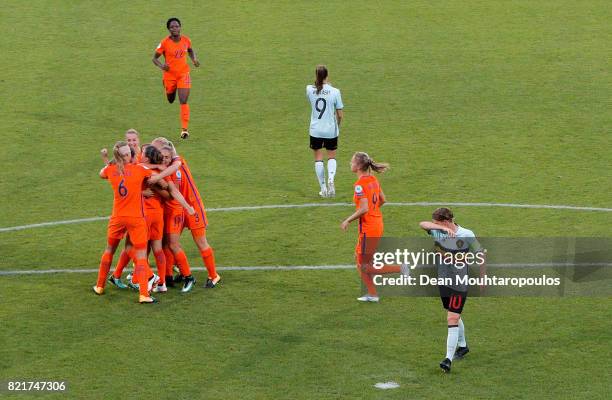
(176, 70)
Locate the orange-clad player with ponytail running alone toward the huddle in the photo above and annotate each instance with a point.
(368, 198)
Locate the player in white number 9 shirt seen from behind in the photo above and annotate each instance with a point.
(325, 119)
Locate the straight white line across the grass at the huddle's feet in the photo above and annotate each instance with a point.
(300, 268)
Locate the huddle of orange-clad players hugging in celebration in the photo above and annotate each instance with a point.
(155, 199)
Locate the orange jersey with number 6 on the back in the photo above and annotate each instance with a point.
(127, 189)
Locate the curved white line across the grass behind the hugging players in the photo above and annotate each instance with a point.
(307, 205)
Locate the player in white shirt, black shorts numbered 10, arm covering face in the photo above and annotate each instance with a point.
(452, 238)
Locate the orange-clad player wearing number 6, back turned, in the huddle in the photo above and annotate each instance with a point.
(127, 181)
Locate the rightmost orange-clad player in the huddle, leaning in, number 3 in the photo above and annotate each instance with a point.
(197, 222)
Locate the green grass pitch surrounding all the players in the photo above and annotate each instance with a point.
(478, 101)
